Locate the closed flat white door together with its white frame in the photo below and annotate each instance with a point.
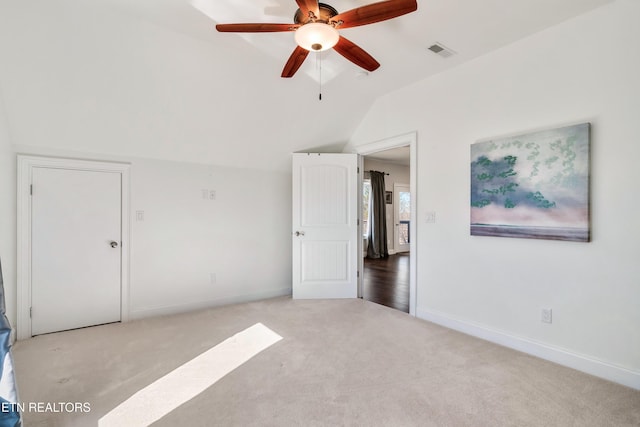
(72, 244)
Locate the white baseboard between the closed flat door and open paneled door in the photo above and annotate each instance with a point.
(199, 305)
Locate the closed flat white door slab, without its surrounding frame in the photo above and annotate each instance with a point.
(76, 248)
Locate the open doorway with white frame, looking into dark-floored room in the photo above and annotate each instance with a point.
(392, 281)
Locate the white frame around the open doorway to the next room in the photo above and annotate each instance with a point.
(411, 140)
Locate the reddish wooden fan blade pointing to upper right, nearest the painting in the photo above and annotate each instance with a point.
(375, 12)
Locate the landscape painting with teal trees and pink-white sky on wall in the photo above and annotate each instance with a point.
(532, 186)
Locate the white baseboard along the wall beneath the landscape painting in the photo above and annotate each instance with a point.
(560, 356)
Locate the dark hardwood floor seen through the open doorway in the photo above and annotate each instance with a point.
(386, 281)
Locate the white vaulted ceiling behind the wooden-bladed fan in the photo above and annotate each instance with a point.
(153, 78)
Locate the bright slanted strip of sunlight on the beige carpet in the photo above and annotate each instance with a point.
(187, 381)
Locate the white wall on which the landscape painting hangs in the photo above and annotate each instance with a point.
(584, 70)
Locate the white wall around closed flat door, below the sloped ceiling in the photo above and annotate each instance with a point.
(243, 236)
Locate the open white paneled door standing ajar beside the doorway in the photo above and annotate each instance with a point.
(325, 226)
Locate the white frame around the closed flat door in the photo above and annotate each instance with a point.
(26, 164)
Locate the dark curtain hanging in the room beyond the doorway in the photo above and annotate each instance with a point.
(377, 247)
